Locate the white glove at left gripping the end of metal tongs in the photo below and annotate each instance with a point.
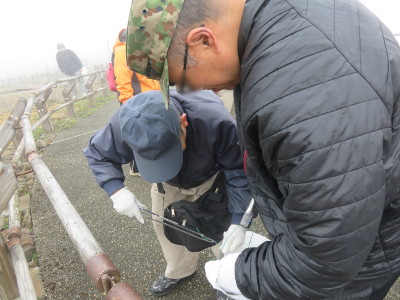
(126, 204)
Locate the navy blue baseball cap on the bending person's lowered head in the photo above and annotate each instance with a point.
(153, 134)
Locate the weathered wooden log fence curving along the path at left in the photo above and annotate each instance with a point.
(100, 268)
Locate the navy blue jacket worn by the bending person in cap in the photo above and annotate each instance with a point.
(211, 145)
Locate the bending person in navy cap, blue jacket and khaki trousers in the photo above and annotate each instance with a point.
(184, 147)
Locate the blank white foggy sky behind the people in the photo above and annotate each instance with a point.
(30, 30)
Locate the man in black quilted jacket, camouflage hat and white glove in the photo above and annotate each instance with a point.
(317, 85)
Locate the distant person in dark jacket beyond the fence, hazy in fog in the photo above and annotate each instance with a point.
(70, 64)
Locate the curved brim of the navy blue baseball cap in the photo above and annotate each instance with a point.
(162, 169)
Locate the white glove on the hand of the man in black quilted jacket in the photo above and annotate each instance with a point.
(221, 275)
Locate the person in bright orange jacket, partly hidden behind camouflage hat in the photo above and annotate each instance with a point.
(128, 83)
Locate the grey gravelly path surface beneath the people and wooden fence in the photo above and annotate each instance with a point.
(133, 248)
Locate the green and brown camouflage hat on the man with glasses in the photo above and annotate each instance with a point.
(151, 26)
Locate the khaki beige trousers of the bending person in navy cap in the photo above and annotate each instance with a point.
(180, 261)
